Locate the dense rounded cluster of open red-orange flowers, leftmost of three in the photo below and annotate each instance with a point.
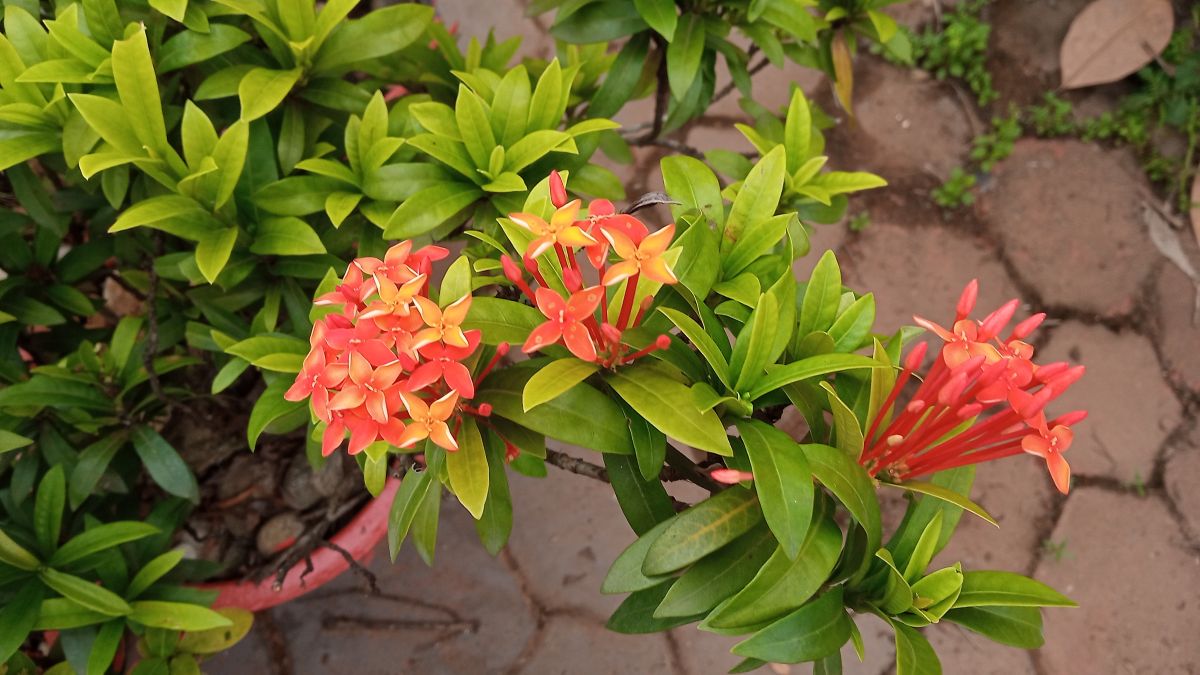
(389, 367)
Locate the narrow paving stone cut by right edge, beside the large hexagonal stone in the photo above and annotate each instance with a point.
(1178, 332)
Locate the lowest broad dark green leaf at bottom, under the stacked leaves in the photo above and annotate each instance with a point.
(809, 634)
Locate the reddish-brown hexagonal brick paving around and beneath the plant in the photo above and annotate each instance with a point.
(1059, 224)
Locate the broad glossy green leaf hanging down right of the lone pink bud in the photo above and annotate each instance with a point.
(783, 480)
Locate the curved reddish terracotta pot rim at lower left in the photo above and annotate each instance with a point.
(358, 539)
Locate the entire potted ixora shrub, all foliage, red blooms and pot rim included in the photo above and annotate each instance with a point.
(184, 184)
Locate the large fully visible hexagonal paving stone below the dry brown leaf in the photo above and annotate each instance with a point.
(1069, 214)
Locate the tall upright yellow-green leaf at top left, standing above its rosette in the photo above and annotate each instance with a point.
(139, 88)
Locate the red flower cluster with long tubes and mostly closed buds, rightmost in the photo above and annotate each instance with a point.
(975, 373)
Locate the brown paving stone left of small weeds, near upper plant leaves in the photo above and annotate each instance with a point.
(904, 122)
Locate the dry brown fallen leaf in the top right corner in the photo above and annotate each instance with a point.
(1113, 39)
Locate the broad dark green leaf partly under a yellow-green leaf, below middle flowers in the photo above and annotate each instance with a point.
(583, 416)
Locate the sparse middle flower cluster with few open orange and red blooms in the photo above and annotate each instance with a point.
(573, 320)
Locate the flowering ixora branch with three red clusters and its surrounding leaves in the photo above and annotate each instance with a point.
(698, 336)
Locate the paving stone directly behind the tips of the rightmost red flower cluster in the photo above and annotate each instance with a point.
(1131, 409)
